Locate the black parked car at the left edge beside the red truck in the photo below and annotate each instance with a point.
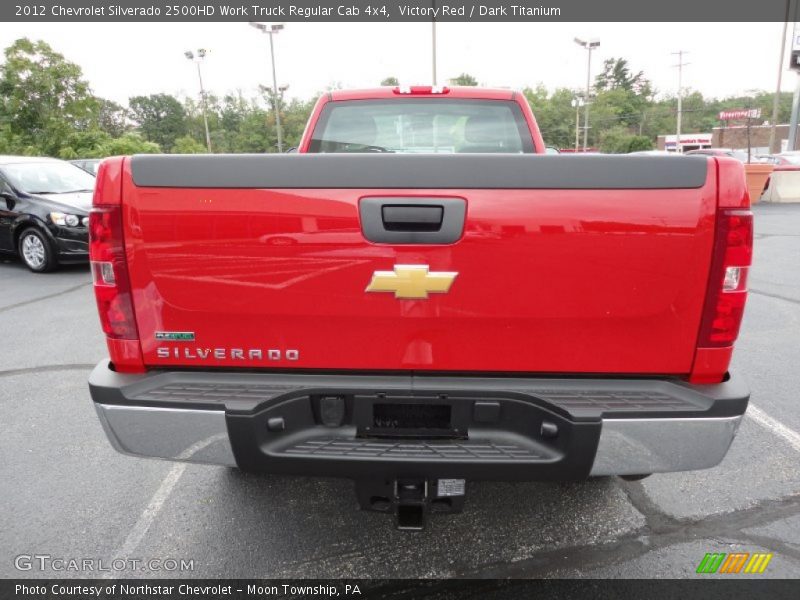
(44, 211)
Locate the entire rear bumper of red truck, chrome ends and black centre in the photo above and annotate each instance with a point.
(224, 419)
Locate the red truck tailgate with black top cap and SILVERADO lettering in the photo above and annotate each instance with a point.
(566, 264)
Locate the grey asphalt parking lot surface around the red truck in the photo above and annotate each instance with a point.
(68, 494)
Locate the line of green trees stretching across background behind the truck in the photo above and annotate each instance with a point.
(48, 108)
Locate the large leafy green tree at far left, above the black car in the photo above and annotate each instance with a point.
(43, 98)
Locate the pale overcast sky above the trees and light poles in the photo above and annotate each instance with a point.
(125, 59)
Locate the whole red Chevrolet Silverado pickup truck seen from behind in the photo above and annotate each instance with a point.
(421, 297)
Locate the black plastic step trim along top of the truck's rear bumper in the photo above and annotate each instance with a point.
(578, 399)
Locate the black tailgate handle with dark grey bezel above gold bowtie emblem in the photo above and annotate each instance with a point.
(399, 220)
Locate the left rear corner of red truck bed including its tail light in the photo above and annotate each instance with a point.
(112, 286)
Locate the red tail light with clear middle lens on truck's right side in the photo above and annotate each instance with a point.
(727, 290)
